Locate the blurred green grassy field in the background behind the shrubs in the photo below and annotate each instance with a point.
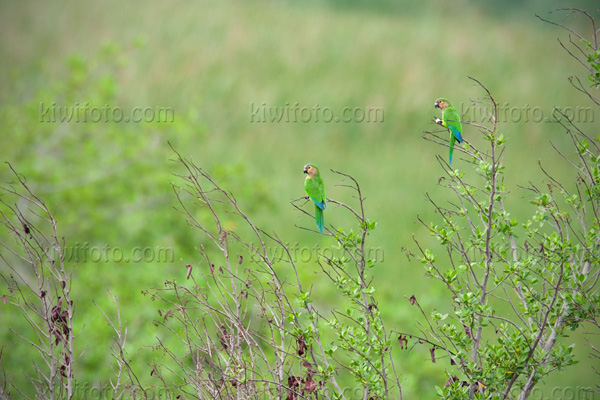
(211, 63)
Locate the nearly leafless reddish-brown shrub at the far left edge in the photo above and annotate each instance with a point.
(37, 281)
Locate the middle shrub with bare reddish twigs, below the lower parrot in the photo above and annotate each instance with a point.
(248, 323)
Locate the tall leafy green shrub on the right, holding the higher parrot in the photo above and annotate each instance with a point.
(516, 286)
